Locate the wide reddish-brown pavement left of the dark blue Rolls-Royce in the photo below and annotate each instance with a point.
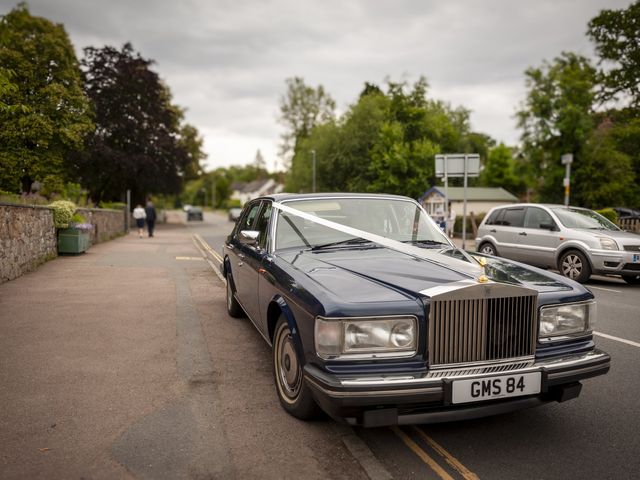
(123, 363)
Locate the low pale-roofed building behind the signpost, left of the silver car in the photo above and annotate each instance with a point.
(479, 199)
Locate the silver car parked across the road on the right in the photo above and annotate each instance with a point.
(576, 241)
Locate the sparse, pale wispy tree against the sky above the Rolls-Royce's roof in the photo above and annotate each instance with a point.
(301, 108)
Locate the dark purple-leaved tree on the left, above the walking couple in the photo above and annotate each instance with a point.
(137, 143)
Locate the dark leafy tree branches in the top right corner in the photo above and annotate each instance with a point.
(616, 34)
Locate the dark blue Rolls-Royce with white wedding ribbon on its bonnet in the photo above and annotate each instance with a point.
(377, 319)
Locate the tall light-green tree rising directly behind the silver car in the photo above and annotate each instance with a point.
(556, 118)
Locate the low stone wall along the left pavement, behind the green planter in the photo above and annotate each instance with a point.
(28, 237)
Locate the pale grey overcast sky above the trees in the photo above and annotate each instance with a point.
(226, 61)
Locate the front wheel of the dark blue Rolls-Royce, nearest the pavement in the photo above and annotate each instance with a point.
(293, 393)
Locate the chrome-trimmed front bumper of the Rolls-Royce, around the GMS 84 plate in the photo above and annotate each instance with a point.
(404, 399)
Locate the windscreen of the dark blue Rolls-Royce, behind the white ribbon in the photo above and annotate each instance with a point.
(401, 220)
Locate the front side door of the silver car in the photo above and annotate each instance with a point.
(539, 238)
